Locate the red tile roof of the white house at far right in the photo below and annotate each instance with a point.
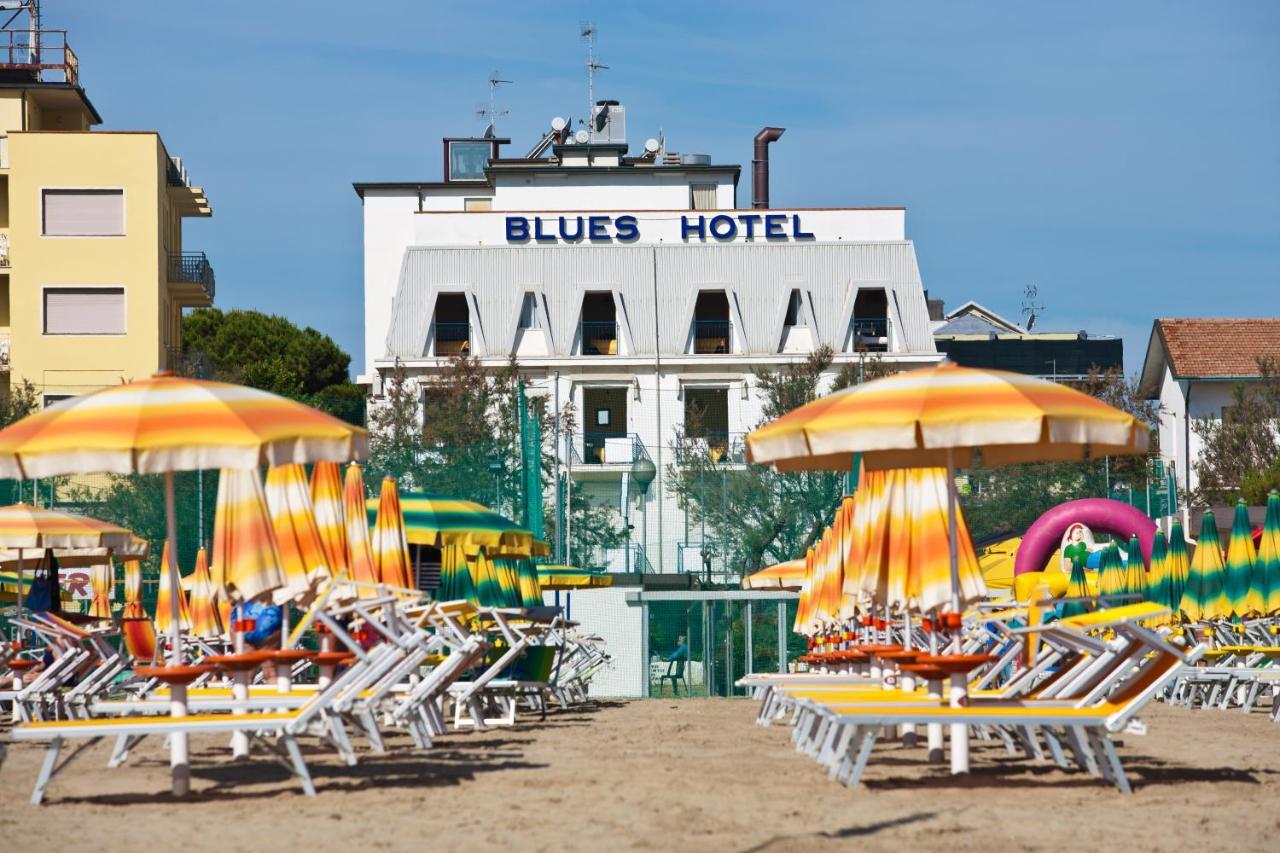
(1219, 346)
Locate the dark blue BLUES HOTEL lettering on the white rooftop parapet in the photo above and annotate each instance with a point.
(627, 229)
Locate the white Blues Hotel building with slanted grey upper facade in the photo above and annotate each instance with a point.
(638, 290)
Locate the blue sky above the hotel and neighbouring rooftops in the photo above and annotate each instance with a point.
(1123, 158)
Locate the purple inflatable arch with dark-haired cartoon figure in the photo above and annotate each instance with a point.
(1069, 528)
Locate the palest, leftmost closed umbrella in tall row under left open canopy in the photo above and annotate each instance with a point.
(246, 563)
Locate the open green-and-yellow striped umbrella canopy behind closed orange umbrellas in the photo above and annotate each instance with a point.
(436, 521)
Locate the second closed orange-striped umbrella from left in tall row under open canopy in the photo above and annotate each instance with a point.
(303, 554)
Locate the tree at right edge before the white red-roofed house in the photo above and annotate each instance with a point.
(1241, 453)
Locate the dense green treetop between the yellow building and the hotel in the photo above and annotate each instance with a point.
(266, 352)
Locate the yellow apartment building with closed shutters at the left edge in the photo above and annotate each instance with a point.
(94, 273)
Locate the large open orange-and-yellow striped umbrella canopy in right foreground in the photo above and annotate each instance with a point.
(920, 417)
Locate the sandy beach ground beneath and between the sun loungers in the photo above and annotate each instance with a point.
(693, 776)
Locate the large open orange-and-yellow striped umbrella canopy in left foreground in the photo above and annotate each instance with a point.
(171, 423)
